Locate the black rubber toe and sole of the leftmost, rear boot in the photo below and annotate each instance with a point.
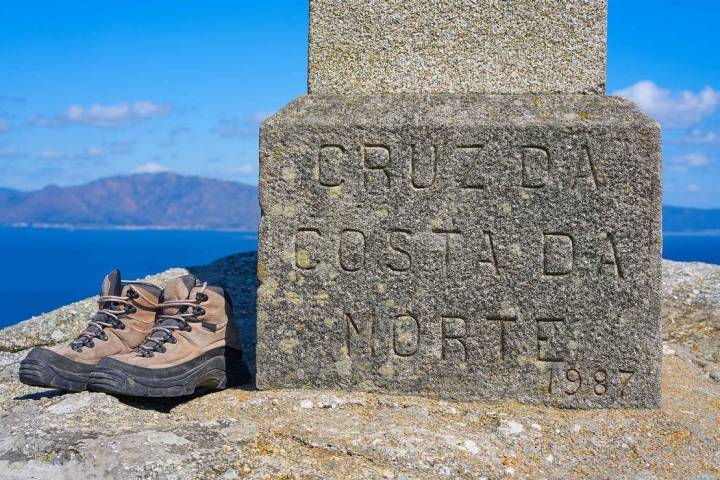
(45, 368)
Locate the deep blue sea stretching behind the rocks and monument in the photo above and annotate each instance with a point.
(45, 268)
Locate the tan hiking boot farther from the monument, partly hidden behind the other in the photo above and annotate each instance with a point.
(126, 316)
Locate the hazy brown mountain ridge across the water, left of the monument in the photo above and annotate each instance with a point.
(151, 200)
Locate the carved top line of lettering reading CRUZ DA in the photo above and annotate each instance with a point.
(468, 166)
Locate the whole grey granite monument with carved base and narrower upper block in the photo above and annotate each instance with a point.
(457, 210)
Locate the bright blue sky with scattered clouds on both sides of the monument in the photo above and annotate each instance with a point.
(90, 89)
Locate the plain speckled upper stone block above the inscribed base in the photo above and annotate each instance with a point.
(457, 46)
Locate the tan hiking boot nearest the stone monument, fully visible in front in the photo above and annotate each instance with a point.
(194, 344)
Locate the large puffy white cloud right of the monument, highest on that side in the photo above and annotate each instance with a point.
(673, 110)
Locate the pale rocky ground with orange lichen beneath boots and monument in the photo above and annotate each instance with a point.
(243, 433)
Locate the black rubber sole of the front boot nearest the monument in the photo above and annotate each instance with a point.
(216, 369)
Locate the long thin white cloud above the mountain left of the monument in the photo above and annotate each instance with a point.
(104, 116)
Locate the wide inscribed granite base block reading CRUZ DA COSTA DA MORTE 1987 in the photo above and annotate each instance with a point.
(468, 258)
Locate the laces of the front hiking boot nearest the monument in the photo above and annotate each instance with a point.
(166, 325)
